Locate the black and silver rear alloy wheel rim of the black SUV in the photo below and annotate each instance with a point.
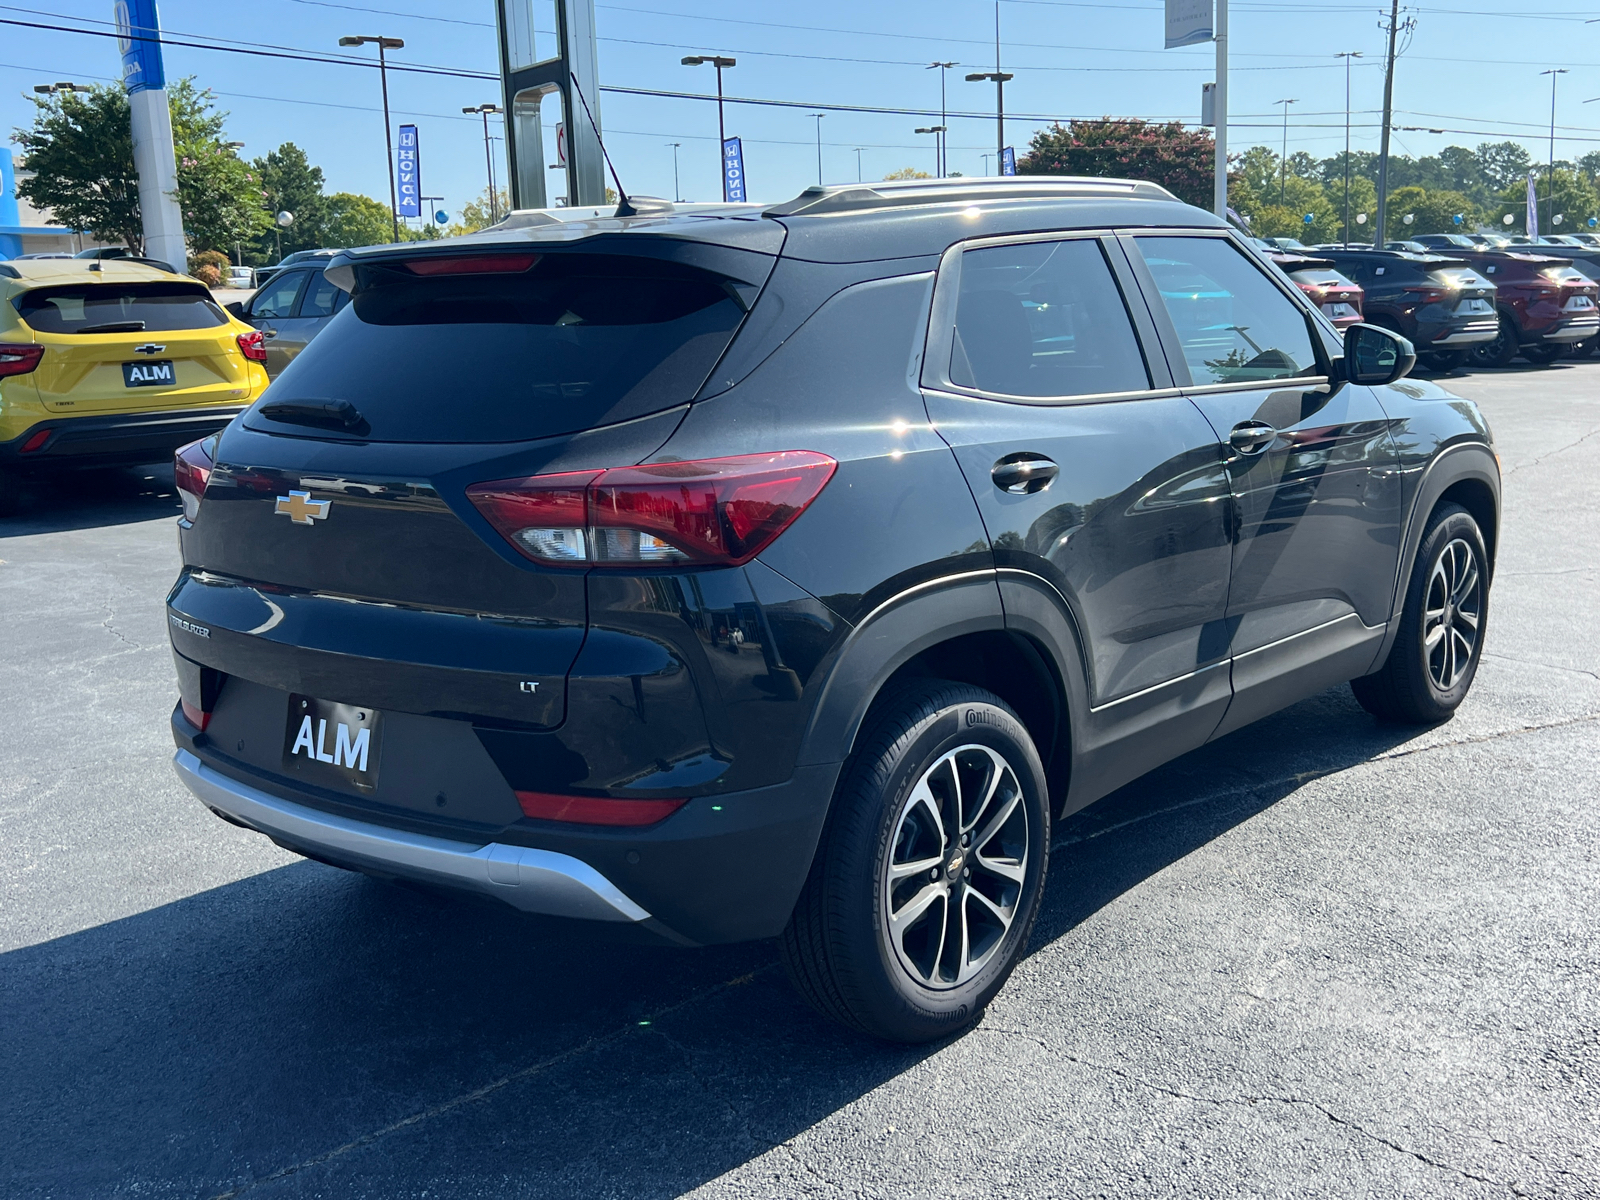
(958, 863)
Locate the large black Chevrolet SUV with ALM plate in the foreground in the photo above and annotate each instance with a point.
(786, 574)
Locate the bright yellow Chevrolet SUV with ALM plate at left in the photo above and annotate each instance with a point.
(111, 362)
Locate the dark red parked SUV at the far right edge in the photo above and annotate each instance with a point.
(1545, 305)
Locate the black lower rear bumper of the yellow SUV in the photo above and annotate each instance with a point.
(122, 439)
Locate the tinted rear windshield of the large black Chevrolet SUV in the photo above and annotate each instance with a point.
(570, 343)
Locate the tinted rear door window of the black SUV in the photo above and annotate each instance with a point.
(1044, 319)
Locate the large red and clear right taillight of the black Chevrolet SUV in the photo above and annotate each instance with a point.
(710, 513)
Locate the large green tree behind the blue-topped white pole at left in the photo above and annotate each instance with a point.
(81, 151)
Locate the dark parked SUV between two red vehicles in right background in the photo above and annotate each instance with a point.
(1441, 305)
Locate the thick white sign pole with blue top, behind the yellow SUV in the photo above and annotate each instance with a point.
(145, 79)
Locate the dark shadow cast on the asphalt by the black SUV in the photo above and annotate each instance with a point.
(313, 1031)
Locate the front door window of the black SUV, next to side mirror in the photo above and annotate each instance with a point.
(1233, 324)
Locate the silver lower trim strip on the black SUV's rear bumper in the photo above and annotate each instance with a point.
(534, 881)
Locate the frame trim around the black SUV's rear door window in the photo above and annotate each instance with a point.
(946, 297)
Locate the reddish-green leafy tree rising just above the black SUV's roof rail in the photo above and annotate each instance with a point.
(1182, 161)
